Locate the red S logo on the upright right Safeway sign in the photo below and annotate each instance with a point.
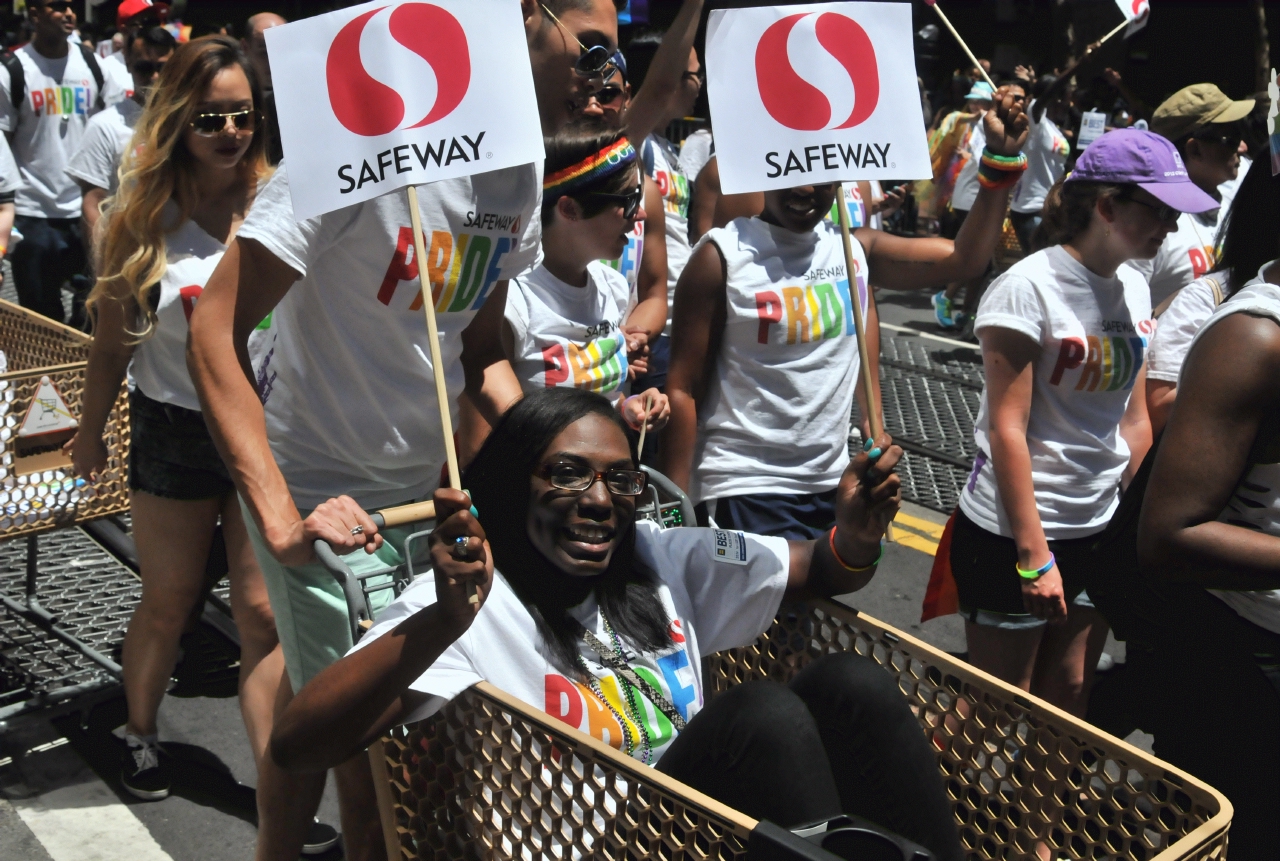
(797, 103)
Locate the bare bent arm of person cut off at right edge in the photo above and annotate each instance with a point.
(1227, 392)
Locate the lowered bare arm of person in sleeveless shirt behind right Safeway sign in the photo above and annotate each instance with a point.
(698, 326)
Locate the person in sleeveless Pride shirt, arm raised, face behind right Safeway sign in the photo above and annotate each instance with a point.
(766, 365)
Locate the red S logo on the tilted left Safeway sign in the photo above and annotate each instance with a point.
(365, 106)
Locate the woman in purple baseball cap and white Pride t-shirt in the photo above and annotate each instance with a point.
(1064, 336)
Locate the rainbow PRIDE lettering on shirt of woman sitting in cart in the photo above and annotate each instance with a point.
(580, 708)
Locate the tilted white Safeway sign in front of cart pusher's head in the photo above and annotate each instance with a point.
(387, 95)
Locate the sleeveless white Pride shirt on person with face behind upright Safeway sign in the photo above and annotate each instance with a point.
(776, 415)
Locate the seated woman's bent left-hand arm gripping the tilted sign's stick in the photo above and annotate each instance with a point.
(358, 698)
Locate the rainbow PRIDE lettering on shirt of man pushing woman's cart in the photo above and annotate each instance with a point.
(461, 269)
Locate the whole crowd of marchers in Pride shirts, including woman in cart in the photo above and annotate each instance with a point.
(281, 390)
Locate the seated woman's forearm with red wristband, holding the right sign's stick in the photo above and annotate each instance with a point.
(867, 501)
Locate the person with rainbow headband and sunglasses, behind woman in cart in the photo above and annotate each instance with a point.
(563, 323)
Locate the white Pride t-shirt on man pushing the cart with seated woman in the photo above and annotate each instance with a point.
(350, 392)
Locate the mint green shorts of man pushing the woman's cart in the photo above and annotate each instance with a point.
(309, 604)
